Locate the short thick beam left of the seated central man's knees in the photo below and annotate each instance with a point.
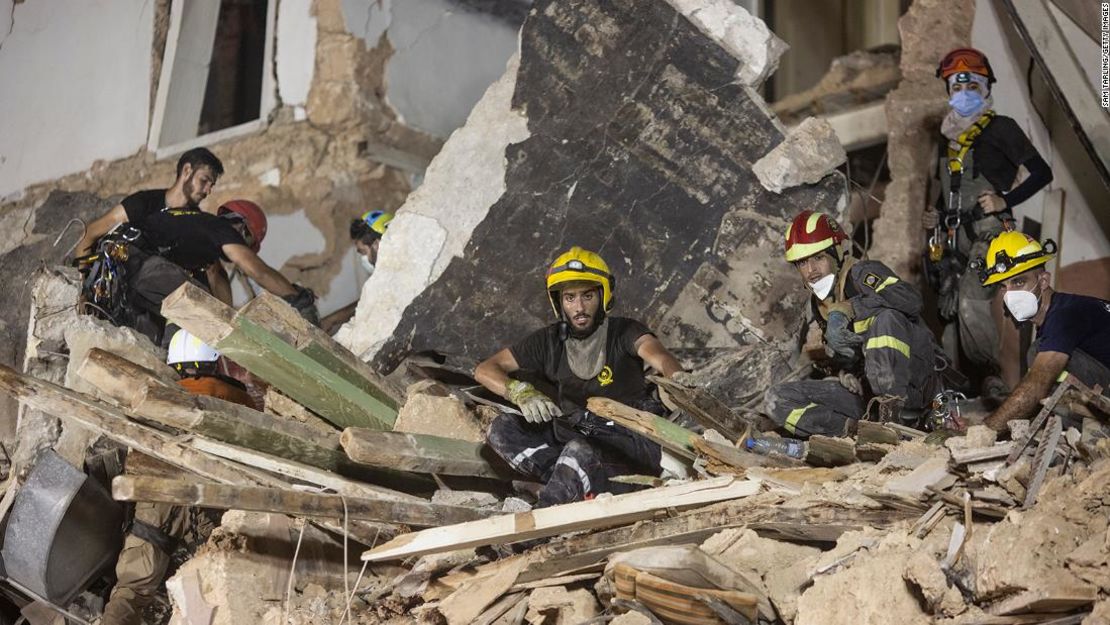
(421, 453)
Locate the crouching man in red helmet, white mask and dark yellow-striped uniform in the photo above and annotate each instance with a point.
(879, 347)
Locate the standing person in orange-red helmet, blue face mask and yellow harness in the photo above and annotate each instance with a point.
(978, 168)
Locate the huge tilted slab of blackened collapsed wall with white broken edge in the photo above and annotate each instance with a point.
(628, 128)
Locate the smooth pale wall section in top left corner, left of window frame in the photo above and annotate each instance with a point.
(76, 86)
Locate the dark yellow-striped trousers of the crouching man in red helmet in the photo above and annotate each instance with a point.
(900, 360)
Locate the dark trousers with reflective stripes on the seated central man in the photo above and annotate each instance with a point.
(574, 457)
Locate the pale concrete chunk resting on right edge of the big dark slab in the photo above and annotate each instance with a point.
(809, 154)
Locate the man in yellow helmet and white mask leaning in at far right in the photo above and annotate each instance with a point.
(1073, 331)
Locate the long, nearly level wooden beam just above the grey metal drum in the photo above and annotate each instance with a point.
(287, 501)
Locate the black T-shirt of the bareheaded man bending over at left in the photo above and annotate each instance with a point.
(186, 237)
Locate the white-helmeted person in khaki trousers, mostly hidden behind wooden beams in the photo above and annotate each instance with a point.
(157, 528)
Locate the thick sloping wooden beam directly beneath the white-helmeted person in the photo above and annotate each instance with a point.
(229, 422)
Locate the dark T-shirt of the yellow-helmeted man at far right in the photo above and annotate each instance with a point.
(1077, 322)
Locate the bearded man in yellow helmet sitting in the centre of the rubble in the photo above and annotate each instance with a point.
(587, 354)
